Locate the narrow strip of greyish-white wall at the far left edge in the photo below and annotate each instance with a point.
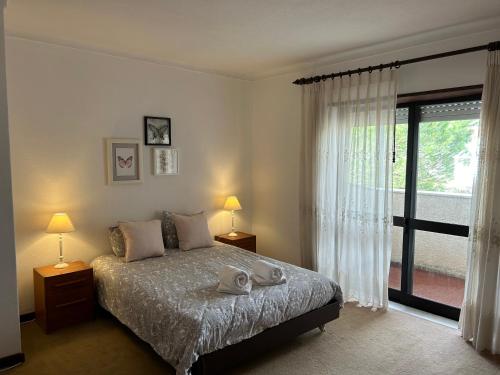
(10, 336)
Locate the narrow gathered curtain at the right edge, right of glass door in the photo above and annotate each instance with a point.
(480, 317)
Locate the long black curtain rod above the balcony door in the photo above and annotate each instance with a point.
(493, 46)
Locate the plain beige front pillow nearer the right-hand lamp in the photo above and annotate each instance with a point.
(192, 231)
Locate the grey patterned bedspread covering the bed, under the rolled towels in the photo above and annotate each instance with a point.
(171, 302)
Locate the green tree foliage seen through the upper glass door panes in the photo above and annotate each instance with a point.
(440, 143)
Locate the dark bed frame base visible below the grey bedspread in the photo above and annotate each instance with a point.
(221, 360)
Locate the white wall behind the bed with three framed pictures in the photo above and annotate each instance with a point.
(63, 102)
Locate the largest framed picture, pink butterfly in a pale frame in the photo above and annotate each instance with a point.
(124, 157)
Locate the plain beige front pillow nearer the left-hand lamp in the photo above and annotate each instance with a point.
(142, 239)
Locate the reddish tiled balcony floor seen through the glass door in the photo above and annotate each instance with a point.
(430, 285)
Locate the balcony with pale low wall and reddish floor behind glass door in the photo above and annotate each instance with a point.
(440, 259)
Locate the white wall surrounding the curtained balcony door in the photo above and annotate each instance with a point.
(275, 123)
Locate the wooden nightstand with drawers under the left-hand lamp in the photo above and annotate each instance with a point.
(63, 296)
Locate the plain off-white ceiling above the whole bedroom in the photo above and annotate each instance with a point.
(242, 38)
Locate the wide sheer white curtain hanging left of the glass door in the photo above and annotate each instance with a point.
(346, 182)
